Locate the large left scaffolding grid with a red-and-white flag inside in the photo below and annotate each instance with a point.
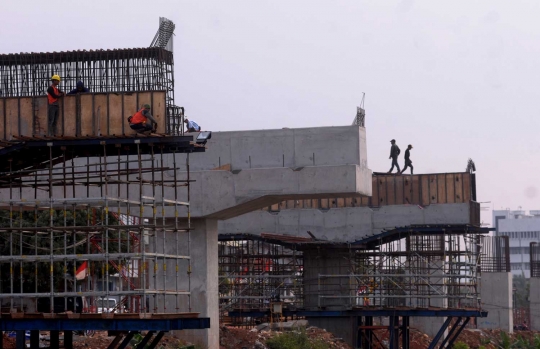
(93, 221)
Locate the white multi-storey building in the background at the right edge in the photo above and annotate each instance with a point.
(522, 229)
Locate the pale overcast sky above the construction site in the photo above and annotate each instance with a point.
(457, 79)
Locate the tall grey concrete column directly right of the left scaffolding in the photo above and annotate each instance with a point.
(204, 282)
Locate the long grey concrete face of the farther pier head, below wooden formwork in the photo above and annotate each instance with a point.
(344, 224)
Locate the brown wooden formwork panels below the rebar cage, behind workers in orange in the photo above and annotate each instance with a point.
(88, 114)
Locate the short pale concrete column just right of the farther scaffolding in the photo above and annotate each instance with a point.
(496, 296)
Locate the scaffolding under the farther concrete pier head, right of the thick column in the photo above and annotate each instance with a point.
(414, 268)
